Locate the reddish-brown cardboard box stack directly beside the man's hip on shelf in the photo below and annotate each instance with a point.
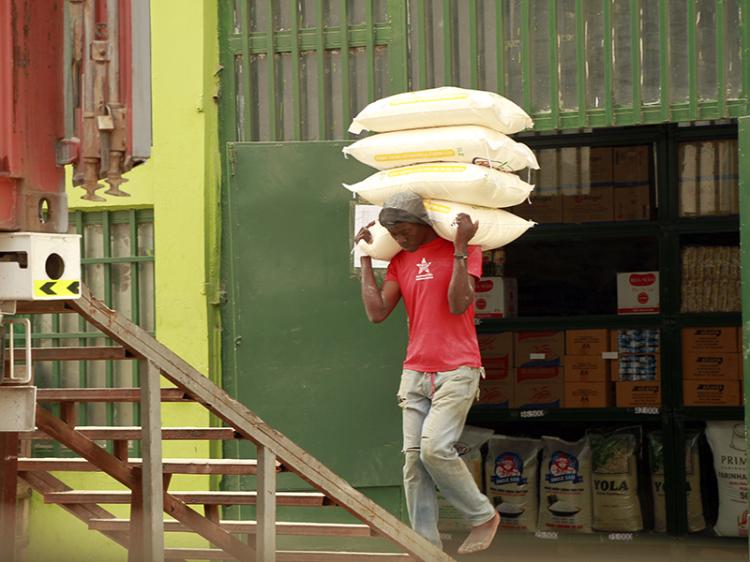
(497, 358)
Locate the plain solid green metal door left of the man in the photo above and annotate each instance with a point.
(298, 349)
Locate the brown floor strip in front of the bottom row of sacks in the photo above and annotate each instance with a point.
(598, 548)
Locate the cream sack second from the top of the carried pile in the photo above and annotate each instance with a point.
(463, 143)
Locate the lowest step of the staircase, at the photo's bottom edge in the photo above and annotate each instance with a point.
(289, 555)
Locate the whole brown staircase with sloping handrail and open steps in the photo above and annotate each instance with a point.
(147, 480)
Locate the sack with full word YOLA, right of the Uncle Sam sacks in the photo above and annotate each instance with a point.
(615, 481)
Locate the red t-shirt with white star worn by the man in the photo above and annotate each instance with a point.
(438, 340)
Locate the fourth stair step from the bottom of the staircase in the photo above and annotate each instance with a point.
(170, 466)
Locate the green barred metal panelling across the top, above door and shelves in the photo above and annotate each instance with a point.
(300, 69)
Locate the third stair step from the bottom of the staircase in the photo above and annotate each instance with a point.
(298, 499)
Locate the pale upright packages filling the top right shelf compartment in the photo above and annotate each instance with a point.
(708, 178)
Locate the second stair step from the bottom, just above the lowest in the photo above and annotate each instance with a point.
(231, 526)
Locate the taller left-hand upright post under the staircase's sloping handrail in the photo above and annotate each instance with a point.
(152, 475)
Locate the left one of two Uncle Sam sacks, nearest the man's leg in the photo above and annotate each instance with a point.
(511, 478)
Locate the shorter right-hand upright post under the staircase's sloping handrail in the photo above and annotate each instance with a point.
(266, 506)
